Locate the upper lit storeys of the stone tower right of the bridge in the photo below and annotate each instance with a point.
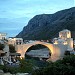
(64, 39)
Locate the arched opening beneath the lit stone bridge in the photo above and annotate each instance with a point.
(38, 52)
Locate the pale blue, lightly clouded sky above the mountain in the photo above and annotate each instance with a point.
(15, 14)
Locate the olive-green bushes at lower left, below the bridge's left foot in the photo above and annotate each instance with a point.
(25, 66)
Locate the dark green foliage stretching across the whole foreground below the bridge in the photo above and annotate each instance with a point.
(66, 66)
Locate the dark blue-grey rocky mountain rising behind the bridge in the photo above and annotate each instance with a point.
(47, 26)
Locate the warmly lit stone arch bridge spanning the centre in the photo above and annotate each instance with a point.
(55, 51)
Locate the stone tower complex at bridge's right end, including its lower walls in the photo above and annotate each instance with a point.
(63, 43)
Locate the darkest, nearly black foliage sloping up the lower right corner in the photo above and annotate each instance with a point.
(66, 66)
